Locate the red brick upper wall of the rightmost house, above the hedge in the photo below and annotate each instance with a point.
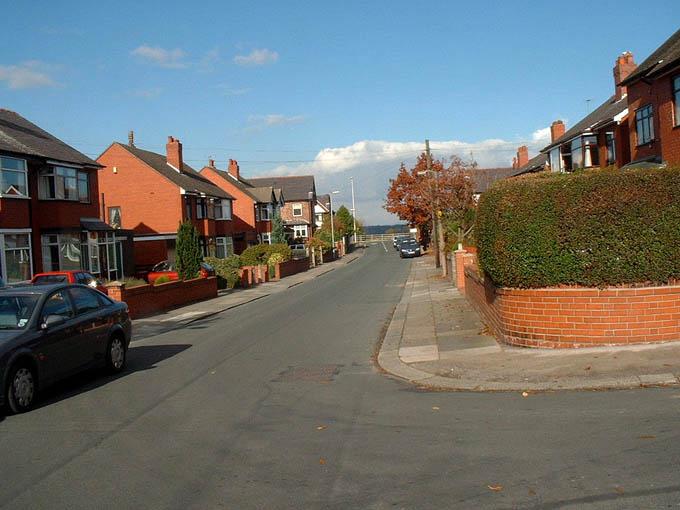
(667, 136)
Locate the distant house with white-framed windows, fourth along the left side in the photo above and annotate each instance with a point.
(300, 198)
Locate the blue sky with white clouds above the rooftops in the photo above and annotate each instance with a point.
(336, 89)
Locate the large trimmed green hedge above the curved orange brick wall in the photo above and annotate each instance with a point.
(593, 228)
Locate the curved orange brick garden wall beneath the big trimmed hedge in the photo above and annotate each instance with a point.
(573, 317)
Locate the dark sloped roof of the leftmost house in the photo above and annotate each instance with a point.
(22, 136)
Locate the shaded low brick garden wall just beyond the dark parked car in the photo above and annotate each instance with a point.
(149, 299)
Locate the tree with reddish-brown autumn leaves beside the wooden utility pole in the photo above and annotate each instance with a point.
(413, 192)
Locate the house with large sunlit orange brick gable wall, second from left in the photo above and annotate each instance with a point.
(151, 194)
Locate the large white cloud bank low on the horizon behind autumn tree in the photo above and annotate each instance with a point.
(373, 162)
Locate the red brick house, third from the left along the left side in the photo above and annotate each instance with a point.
(254, 206)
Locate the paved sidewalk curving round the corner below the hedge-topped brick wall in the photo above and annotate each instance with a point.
(437, 339)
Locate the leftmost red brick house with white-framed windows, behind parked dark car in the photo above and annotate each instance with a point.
(49, 207)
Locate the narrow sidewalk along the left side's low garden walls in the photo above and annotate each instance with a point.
(227, 299)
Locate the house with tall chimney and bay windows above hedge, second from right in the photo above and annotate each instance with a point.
(600, 139)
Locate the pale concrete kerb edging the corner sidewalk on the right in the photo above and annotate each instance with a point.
(389, 361)
